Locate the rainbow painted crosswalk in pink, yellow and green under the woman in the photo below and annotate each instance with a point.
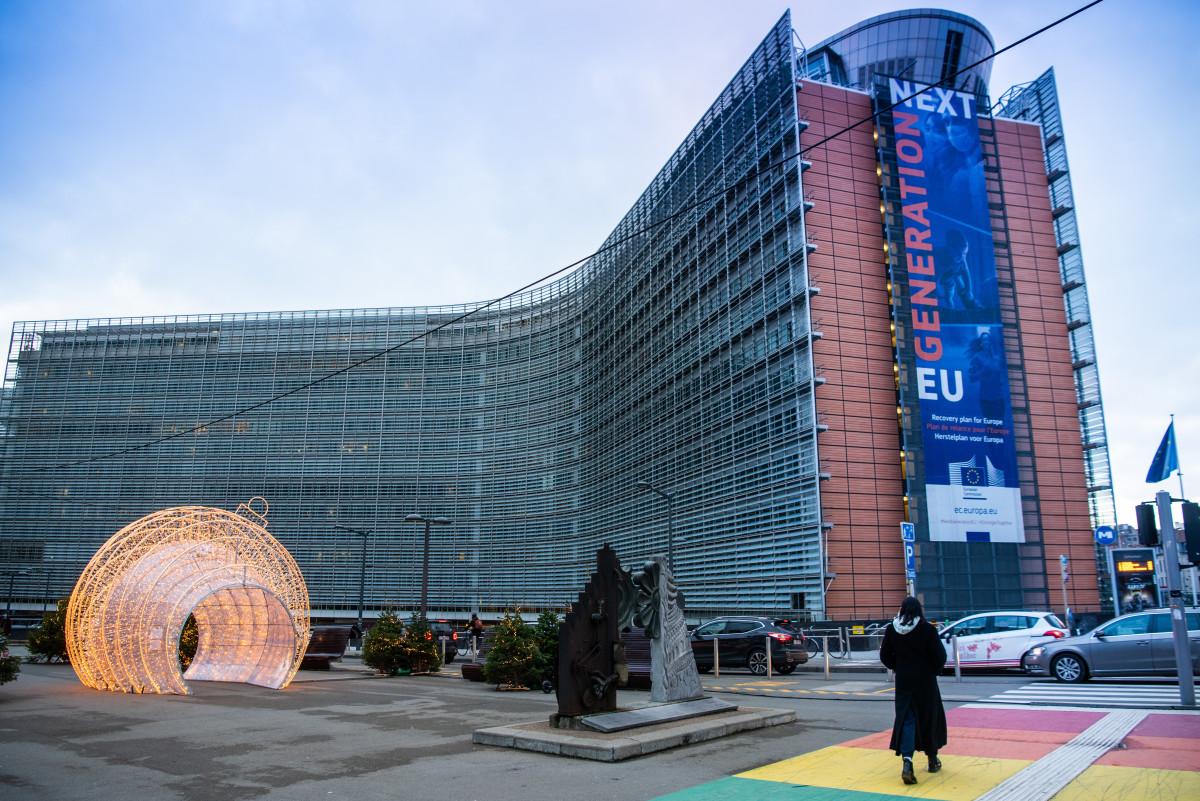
(989, 746)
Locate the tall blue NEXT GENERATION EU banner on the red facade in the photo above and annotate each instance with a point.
(967, 417)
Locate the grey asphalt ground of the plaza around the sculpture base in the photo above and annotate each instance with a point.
(350, 734)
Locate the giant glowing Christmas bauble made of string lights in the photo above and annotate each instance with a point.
(134, 598)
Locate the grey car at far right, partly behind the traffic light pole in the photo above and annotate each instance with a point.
(1139, 645)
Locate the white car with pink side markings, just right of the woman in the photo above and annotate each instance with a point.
(999, 640)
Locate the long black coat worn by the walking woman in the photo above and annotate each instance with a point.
(917, 658)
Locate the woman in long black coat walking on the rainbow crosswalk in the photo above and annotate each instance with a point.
(914, 651)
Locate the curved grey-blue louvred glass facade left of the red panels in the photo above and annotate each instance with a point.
(680, 356)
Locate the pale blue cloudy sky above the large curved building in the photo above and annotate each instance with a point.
(163, 159)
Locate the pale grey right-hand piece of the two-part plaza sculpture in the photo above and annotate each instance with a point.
(674, 676)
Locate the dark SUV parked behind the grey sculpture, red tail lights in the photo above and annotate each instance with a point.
(743, 645)
